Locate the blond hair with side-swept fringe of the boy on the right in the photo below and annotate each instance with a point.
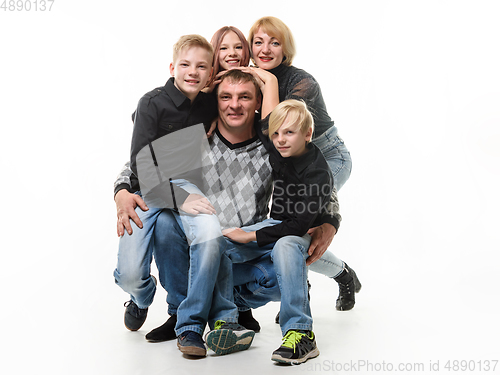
(297, 113)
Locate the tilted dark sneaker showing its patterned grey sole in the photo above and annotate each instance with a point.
(228, 338)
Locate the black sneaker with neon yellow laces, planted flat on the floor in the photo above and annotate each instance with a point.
(297, 347)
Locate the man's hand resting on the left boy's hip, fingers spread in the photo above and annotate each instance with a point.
(125, 210)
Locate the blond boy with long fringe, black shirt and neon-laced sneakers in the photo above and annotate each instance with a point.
(303, 184)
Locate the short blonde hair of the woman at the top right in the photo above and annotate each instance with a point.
(275, 27)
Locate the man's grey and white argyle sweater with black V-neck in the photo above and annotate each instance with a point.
(237, 181)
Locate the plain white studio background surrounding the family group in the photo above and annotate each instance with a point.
(414, 88)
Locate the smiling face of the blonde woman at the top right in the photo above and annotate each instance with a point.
(267, 50)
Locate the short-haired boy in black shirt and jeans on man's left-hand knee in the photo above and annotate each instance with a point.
(167, 120)
